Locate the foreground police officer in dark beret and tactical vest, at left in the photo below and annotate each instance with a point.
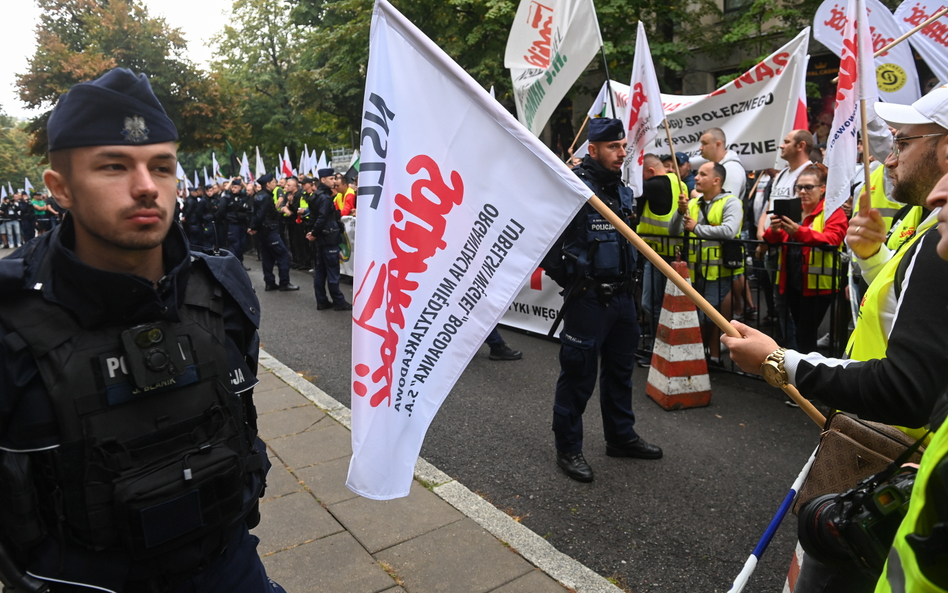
(128, 450)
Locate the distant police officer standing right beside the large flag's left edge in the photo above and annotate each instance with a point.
(325, 235)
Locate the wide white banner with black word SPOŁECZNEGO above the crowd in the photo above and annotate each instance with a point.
(755, 110)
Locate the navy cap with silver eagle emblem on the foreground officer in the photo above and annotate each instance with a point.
(119, 108)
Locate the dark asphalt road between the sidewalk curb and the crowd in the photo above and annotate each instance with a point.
(686, 522)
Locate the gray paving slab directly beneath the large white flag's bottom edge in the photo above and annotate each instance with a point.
(380, 524)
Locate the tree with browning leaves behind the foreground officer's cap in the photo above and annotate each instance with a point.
(79, 40)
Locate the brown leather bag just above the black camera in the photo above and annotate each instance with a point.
(850, 450)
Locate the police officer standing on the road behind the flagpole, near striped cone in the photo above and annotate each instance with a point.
(594, 264)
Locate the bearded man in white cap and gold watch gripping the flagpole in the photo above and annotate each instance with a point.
(896, 367)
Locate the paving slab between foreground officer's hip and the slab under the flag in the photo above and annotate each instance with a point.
(292, 520)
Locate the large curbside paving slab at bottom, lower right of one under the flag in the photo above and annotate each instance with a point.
(458, 558)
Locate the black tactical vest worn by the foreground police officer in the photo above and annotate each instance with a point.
(155, 446)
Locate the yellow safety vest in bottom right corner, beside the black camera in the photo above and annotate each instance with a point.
(910, 577)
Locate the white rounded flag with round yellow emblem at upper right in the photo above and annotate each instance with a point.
(895, 72)
